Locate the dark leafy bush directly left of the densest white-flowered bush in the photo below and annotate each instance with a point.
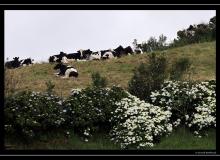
(89, 110)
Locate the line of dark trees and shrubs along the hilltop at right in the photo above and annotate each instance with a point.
(193, 34)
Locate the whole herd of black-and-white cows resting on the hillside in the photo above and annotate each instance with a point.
(82, 55)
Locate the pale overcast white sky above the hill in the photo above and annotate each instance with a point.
(39, 34)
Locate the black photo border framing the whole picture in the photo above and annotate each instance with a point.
(4, 7)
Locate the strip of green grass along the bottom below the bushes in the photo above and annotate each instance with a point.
(181, 139)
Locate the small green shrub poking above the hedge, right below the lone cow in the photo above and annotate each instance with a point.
(98, 81)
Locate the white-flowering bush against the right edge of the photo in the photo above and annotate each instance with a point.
(192, 104)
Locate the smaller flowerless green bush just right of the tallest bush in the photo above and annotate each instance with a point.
(179, 68)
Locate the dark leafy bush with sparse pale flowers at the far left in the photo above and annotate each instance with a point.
(29, 113)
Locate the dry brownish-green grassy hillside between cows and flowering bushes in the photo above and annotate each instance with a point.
(117, 71)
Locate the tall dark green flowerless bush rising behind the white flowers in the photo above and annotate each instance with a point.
(148, 77)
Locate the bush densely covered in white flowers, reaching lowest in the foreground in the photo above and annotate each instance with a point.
(139, 124)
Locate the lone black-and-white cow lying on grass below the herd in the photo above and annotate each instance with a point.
(66, 71)
